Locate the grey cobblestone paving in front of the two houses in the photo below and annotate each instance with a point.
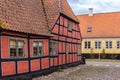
(93, 70)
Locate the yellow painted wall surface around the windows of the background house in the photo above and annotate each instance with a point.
(103, 46)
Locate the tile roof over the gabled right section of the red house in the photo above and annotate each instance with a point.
(55, 7)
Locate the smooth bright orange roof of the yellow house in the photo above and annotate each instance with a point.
(102, 25)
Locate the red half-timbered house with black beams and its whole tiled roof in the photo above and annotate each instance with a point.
(37, 36)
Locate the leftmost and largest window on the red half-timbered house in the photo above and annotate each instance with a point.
(16, 48)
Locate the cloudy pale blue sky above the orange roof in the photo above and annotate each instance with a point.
(80, 7)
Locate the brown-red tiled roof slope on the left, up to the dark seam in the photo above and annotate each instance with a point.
(23, 16)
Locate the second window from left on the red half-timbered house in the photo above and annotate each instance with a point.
(38, 48)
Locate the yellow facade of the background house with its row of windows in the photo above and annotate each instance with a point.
(114, 47)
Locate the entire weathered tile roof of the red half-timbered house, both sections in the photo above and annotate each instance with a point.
(33, 16)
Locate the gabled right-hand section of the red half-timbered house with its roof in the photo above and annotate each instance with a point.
(65, 30)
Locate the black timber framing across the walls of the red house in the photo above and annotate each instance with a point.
(28, 37)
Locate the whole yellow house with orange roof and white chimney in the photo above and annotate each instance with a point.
(100, 35)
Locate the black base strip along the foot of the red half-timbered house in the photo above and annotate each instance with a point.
(46, 71)
